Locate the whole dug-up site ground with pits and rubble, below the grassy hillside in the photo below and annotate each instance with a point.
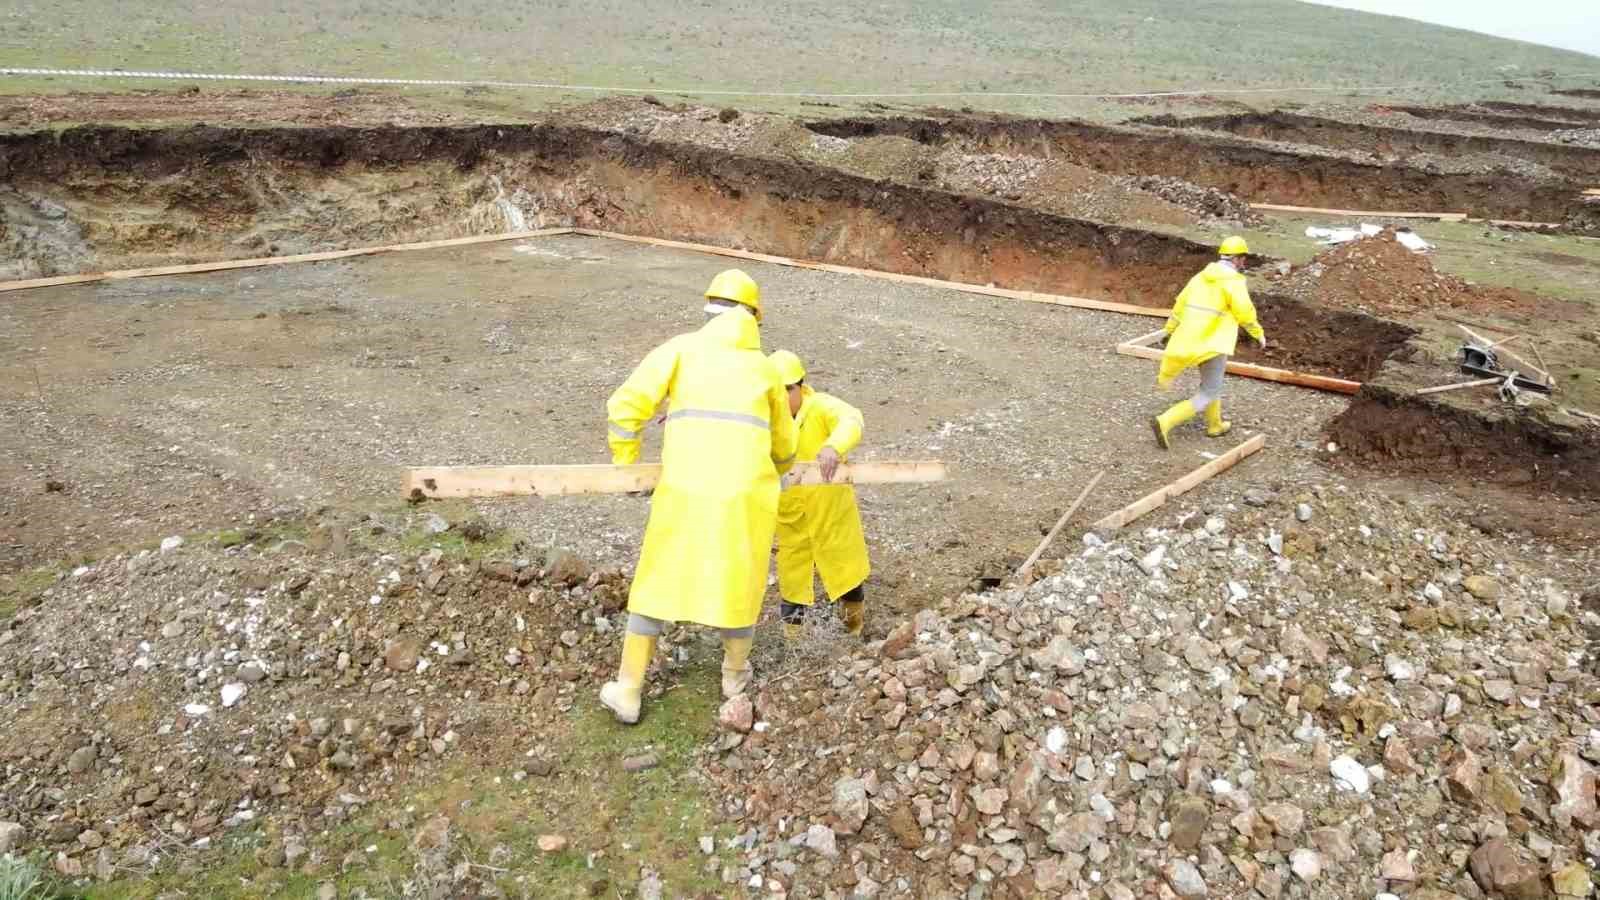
(238, 664)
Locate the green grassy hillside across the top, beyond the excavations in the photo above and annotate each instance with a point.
(926, 46)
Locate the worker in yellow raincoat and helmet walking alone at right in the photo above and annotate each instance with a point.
(1202, 332)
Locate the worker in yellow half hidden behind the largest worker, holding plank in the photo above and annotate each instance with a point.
(820, 526)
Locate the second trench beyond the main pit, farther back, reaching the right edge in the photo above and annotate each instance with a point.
(1580, 164)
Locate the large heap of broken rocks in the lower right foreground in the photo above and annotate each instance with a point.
(1321, 696)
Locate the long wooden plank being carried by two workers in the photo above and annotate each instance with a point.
(438, 483)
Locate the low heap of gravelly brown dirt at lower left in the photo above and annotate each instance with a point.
(170, 699)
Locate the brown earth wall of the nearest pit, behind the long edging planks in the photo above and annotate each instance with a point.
(106, 198)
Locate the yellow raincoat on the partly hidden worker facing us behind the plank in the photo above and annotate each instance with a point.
(820, 526)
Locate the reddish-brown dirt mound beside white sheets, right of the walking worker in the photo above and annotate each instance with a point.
(1383, 278)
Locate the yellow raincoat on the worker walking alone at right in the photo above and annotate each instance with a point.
(1206, 321)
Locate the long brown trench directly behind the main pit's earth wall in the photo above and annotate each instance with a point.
(1255, 172)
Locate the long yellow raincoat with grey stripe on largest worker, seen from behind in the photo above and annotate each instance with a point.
(729, 438)
